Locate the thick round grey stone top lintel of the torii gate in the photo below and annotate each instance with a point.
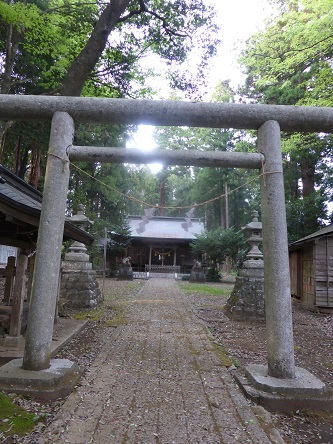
(167, 112)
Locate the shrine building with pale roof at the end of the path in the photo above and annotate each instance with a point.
(163, 243)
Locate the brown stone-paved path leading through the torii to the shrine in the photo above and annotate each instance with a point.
(158, 381)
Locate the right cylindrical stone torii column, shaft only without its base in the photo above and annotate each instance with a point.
(276, 261)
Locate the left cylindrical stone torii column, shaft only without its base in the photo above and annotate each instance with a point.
(48, 253)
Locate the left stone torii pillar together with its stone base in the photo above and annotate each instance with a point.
(62, 374)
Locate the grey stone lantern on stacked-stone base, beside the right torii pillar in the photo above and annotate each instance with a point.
(246, 301)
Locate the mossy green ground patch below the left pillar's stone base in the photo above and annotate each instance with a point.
(14, 420)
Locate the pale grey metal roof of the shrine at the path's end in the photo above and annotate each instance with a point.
(158, 227)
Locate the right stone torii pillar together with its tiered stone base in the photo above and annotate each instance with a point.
(279, 385)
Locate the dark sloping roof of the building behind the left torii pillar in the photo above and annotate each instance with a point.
(20, 207)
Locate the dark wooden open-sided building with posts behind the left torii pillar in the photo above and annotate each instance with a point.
(20, 207)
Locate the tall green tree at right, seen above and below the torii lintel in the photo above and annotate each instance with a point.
(290, 63)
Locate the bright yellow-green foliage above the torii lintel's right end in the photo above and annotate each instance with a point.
(284, 60)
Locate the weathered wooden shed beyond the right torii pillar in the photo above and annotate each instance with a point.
(311, 268)
